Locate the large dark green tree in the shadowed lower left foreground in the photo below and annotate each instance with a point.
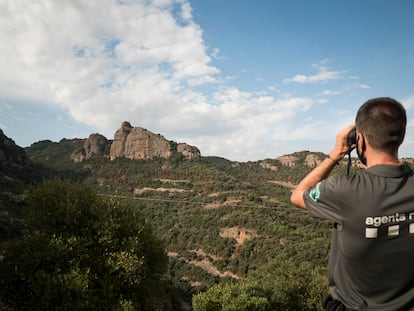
(80, 251)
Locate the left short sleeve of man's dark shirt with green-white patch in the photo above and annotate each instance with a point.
(324, 200)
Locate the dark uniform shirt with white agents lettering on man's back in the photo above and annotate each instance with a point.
(372, 252)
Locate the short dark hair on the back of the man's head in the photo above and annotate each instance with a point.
(382, 121)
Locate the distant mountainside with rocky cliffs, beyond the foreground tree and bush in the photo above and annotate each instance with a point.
(220, 220)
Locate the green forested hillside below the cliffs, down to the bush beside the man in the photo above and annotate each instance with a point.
(231, 236)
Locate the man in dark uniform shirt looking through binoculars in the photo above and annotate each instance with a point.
(371, 263)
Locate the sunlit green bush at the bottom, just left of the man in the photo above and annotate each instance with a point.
(279, 285)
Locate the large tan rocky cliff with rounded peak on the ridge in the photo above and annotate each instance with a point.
(139, 143)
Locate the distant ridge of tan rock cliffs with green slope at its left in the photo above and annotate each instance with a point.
(129, 142)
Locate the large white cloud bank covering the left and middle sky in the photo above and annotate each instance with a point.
(143, 61)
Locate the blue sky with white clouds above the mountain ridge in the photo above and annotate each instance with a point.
(244, 80)
